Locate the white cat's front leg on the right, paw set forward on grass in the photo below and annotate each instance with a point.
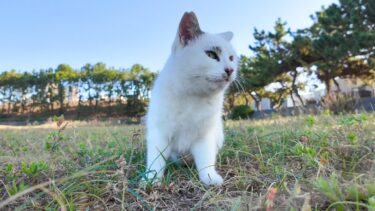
(204, 153)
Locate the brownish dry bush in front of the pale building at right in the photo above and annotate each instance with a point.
(340, 102)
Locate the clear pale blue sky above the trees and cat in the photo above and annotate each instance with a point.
(40, 34)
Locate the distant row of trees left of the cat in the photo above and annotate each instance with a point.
(64, 88)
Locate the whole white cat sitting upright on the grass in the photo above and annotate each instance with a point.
(184, 114)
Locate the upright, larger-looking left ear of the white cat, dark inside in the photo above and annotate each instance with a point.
(189, 28)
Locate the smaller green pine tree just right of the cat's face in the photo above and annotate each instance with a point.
(273, 63)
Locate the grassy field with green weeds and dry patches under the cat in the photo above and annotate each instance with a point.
(282, 163)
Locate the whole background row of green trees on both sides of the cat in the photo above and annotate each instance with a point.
(339, 44)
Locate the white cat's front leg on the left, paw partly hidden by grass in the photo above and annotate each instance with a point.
(158, 151)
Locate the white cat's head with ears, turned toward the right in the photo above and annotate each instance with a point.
(208, 61)
